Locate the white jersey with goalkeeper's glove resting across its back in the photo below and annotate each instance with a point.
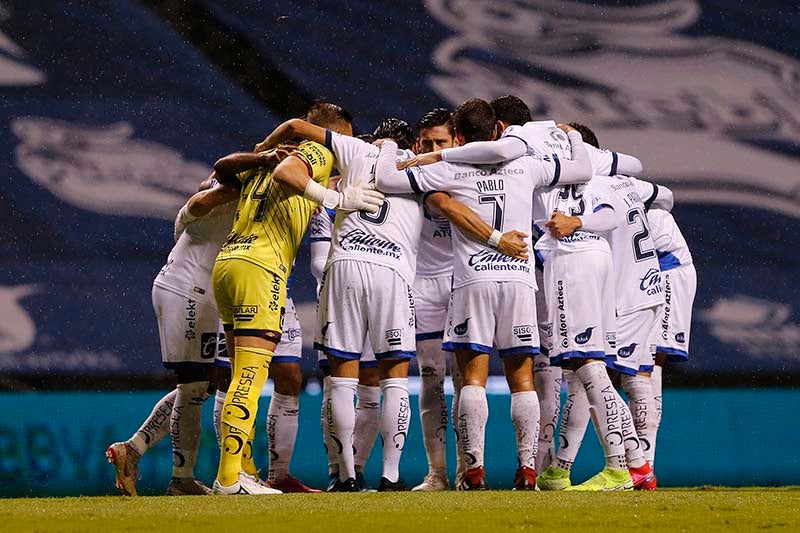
(390, 237)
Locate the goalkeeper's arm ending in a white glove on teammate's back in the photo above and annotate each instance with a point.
(297, 173)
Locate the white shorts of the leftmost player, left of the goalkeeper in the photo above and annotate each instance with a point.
(187, 328)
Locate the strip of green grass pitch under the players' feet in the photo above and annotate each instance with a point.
(673, 510)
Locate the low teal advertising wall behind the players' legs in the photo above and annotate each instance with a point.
(736, 437)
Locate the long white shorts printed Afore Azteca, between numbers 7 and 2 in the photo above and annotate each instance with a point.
(579, 289)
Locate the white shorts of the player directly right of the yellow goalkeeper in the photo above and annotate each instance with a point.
(361, 301)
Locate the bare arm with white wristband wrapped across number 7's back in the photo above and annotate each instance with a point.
(511, 243)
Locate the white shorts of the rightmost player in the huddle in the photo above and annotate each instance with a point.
(674, 323)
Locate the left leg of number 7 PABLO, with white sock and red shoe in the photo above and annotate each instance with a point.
(473, 412)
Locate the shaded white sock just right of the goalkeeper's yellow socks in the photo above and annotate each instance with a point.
(282, 422)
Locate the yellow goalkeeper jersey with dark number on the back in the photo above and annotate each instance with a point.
(272, 218)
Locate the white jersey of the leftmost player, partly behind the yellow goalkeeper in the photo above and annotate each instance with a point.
(191, 261)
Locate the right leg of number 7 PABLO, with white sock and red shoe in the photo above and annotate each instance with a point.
(525, 416)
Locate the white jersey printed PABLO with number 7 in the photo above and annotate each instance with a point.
(502, 195)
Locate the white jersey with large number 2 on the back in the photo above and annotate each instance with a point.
(638, 277)
